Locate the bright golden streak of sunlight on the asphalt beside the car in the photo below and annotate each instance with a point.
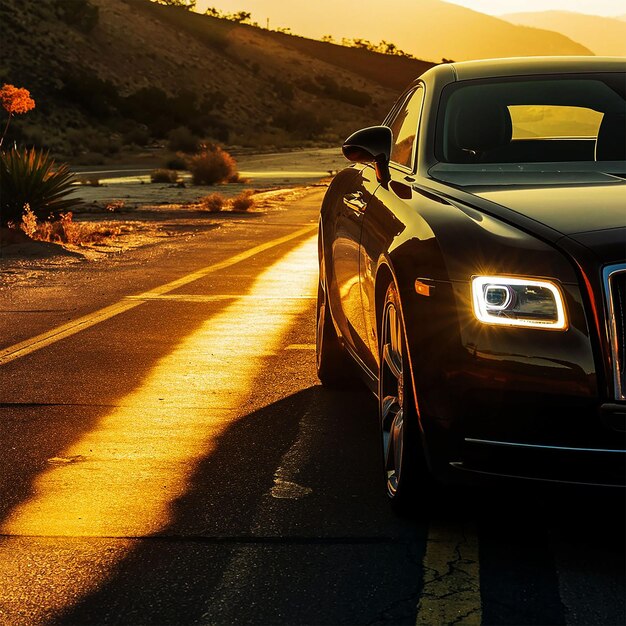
(122, 478)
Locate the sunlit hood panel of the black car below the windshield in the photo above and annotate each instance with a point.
(571, 210)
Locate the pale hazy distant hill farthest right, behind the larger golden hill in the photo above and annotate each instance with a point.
(602, 35)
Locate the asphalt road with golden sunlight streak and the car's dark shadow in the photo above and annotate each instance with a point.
(168, 457)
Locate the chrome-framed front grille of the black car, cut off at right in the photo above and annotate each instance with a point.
(615, 286)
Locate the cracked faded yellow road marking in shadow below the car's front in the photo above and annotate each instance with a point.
(451, 593)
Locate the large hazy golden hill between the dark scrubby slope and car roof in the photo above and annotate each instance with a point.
(428, 29)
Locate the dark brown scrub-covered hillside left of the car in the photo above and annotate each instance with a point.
(107, 73)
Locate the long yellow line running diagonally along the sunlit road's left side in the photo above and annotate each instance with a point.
(75, 326)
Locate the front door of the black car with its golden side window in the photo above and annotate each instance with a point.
(384, 219)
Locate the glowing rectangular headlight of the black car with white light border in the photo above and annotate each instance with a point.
(518, 302)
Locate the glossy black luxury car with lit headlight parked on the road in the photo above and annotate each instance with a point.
(473, 271)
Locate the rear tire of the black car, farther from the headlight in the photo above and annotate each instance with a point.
(333, 366)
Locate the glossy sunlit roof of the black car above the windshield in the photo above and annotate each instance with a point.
(524, 66)
